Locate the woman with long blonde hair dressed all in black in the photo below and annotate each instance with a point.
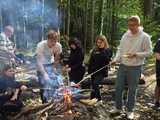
(100, 56)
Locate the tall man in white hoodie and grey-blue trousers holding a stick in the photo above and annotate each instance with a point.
(134, 47)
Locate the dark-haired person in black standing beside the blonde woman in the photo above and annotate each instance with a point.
(75, 63)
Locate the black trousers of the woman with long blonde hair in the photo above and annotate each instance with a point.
(95, 82)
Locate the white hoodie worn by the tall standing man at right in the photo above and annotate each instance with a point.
(139, 43)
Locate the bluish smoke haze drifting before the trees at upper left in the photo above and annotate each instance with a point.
(28, 17)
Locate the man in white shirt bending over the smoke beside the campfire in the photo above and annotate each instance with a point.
(47, 53)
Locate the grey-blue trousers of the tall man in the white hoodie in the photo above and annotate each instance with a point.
(129, 75)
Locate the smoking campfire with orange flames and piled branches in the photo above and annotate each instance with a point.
(63, 101)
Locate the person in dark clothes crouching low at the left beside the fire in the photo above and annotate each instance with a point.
(10, 91)
